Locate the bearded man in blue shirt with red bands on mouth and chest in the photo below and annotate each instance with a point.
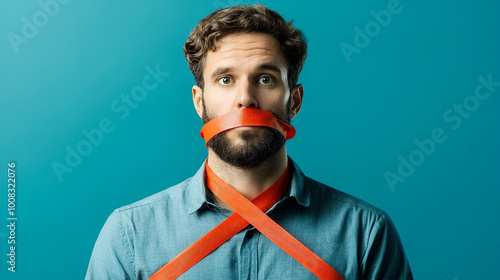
(246, 61)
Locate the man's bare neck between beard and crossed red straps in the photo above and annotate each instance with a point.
(250, 182)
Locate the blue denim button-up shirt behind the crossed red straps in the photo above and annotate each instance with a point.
(357, 239)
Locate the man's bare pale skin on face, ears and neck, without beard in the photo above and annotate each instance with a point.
(246, 71)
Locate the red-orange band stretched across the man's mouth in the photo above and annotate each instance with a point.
(245, 117)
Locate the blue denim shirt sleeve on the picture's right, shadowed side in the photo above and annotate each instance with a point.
(385, 257)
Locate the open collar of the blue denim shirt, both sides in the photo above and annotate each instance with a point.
(197, 194)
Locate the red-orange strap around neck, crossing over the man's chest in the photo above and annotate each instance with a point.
(247, 212)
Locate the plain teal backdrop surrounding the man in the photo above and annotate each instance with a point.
(356, 120)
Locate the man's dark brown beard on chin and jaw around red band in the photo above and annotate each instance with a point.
(257, 147)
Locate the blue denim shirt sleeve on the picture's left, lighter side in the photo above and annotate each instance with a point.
(112, 257)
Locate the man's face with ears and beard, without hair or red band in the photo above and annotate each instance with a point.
(246, 71)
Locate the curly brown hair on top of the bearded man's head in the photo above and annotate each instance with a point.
(245, 19)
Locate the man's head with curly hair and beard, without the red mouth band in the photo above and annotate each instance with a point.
(246, 57)
